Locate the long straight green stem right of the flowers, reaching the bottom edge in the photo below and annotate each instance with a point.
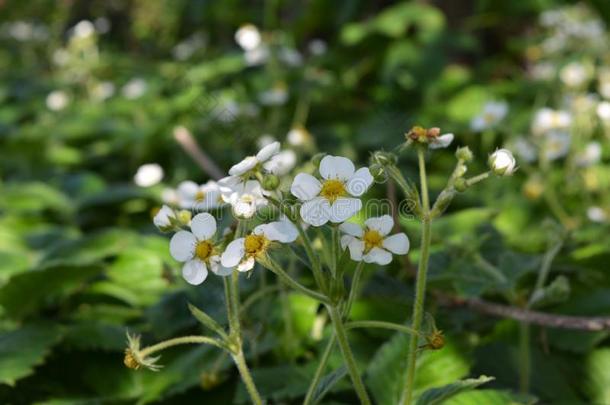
(420, 288)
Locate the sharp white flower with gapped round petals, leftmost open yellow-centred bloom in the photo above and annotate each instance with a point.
(197, 250)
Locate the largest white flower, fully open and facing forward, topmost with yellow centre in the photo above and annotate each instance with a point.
(335, 197)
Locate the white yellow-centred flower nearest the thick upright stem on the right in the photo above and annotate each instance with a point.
(371, 243)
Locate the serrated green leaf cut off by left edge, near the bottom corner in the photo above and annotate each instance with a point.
(23, 349)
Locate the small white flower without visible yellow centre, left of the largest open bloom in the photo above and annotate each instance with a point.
(245, 197)
